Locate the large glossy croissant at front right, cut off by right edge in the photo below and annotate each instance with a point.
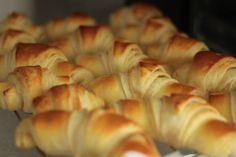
(183, 121)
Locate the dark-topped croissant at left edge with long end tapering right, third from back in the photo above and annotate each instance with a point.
(28, 54)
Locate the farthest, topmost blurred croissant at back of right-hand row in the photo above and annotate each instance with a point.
(132, 15)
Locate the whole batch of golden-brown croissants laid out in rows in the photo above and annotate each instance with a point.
(97, 90)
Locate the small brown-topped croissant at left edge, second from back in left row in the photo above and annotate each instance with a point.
(10, 38)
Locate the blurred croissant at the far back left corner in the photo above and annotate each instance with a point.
(19, 21)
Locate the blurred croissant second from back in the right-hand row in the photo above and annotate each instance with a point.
(155, 30)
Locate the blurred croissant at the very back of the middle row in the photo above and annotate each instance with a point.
(58, 28)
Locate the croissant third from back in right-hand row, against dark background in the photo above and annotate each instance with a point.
(177, 50)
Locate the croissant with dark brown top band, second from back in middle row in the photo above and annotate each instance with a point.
(86, 39)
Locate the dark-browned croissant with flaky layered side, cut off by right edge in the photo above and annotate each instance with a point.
(210, 72)
